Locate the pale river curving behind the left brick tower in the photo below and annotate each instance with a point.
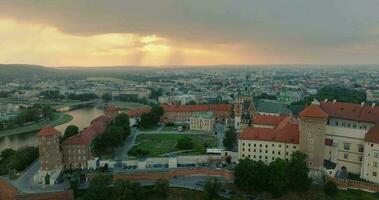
(81, 118)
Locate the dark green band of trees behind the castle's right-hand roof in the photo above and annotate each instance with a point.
(339, 93)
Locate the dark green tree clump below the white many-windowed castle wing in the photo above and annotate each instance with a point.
(277, 178)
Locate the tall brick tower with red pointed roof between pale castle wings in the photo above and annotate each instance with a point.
(312, 126)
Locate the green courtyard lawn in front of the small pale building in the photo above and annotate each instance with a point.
(160, 144)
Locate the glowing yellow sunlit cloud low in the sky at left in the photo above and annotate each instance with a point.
(41, 44)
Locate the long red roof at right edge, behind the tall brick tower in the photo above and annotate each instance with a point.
(350, 111)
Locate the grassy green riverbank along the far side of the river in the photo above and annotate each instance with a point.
(58, 119)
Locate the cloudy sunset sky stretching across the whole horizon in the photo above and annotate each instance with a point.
(188, 32)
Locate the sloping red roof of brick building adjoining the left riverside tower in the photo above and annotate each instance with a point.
(96, 128)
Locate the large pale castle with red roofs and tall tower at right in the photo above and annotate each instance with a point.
(338, 138)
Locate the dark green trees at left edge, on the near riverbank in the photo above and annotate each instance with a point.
(17, 160)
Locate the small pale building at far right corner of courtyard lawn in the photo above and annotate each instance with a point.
(202, 122)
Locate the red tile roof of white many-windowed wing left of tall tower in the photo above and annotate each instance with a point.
(287, 132)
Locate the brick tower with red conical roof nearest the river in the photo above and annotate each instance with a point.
(50, 156)
